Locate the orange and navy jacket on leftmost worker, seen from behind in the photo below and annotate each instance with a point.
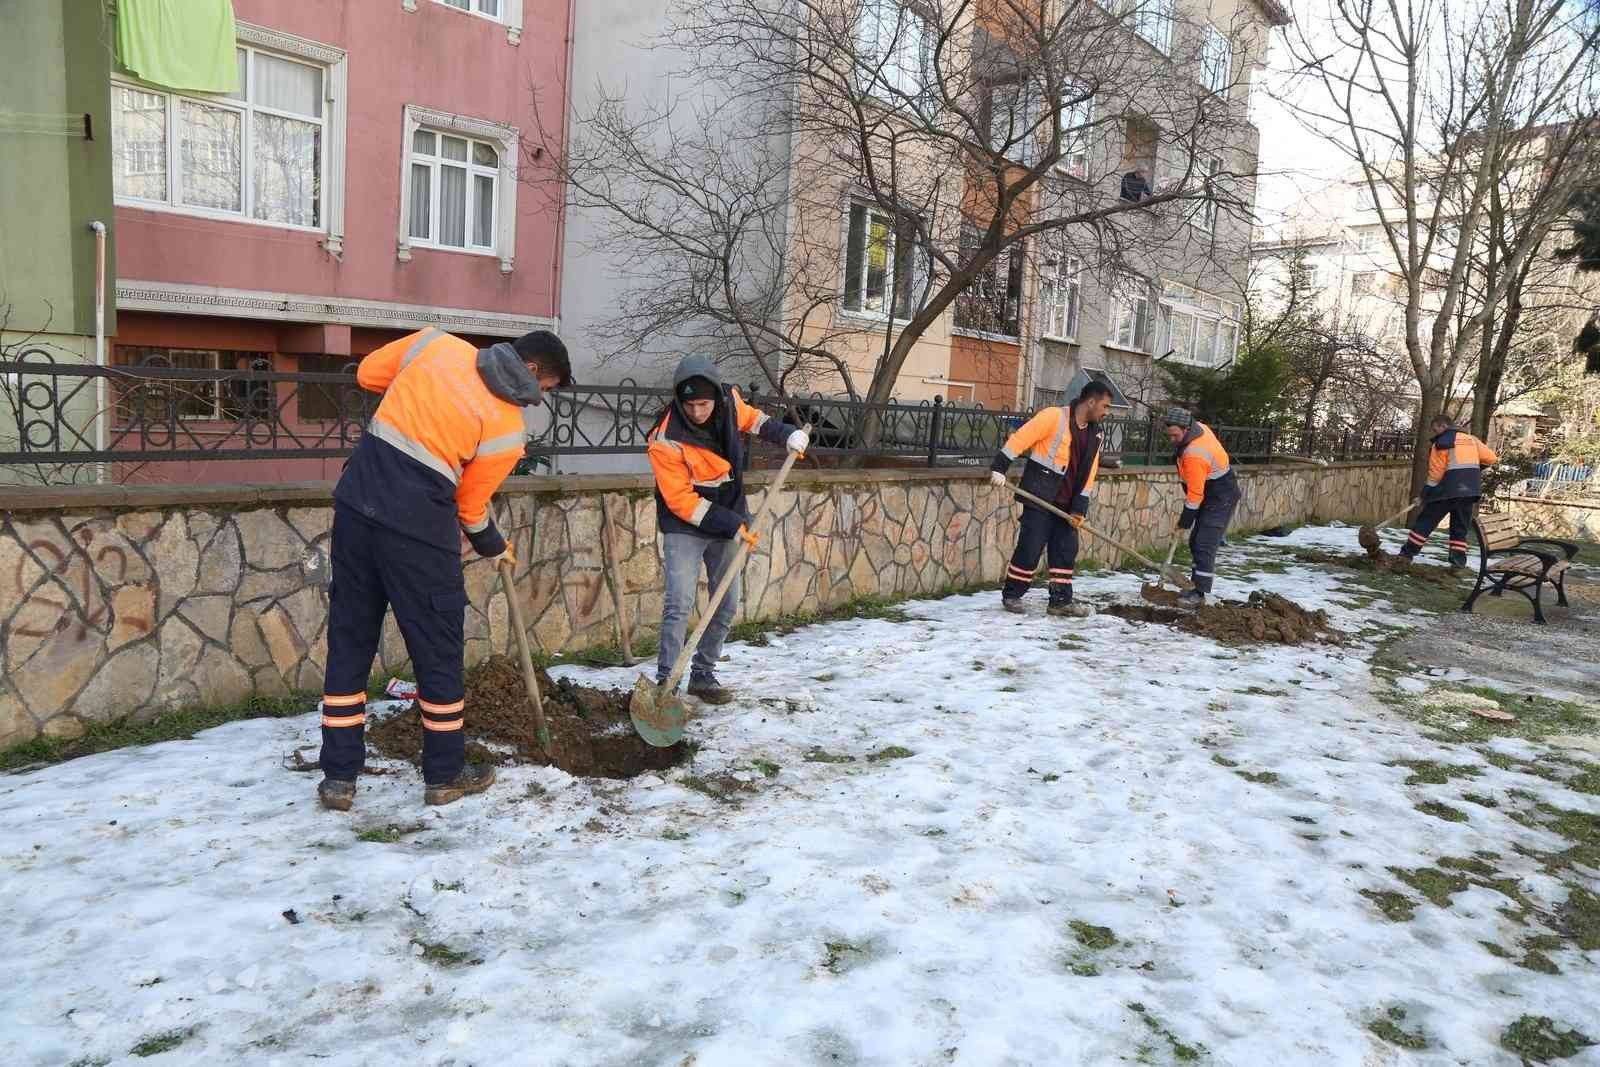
(439, 444)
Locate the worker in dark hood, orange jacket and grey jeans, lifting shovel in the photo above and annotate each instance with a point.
(697, 454)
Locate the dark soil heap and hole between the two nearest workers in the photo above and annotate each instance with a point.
(591, 733)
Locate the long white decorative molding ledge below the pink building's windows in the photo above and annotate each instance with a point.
(201, 300)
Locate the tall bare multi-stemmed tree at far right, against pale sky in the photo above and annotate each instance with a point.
(1436, 102)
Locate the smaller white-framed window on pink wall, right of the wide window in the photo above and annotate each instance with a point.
(454, 191)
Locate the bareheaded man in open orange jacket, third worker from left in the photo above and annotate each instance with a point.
(1063, 462)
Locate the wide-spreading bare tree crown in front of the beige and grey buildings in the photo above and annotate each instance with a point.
(961, 132)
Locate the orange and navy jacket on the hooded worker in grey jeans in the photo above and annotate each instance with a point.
(700, 490)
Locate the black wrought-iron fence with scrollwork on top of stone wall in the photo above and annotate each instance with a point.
(207, 406)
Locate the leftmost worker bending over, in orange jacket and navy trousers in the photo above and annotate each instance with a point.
(450, 428)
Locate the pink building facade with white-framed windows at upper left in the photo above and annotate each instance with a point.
(372, 175)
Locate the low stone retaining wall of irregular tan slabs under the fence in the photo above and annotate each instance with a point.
(127, 601)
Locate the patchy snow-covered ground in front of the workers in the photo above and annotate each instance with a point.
(866, 911)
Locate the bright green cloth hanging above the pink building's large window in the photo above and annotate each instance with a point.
(180, 44)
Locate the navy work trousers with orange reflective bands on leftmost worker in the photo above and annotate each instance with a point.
(377, 569)
